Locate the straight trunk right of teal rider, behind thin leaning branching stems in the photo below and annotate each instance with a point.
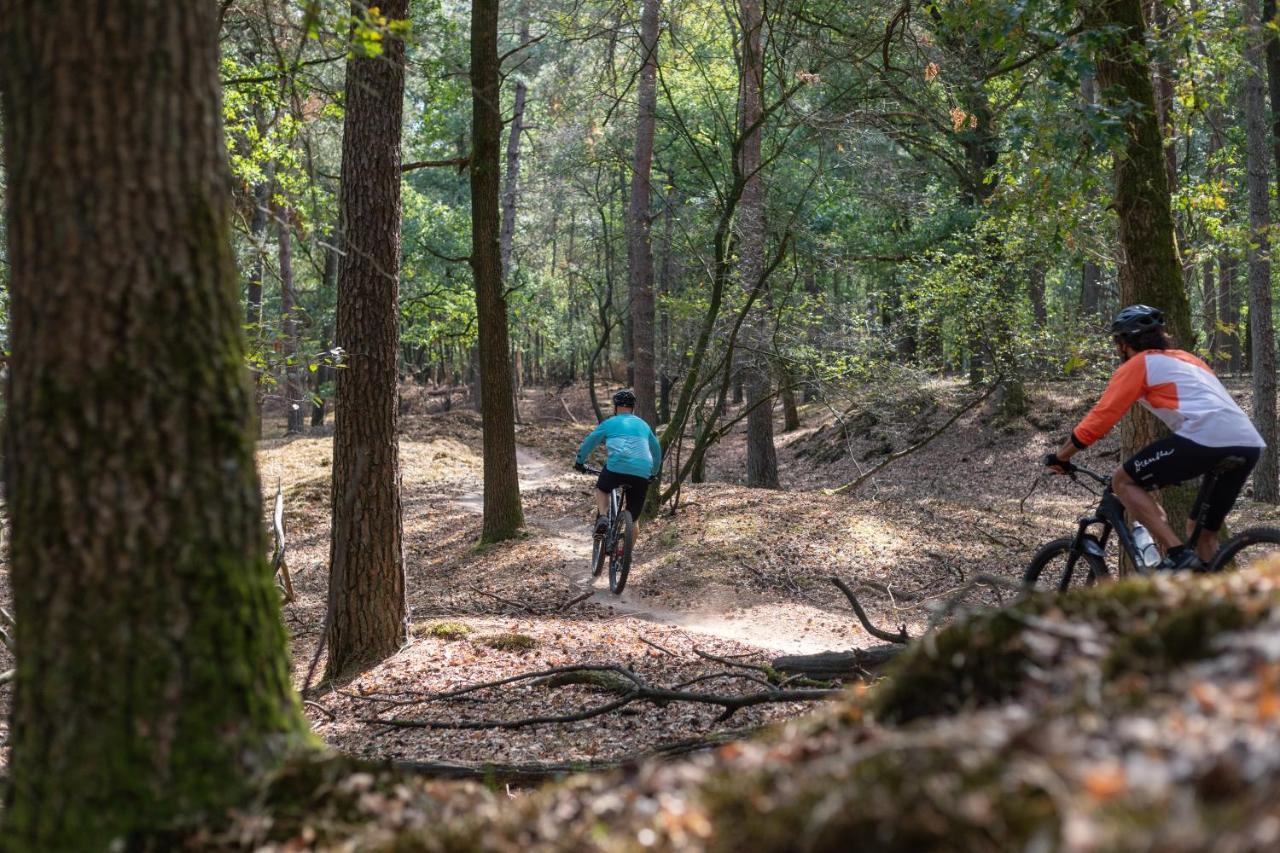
(762, 459)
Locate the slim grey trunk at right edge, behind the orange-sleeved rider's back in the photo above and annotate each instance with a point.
(1267, 476)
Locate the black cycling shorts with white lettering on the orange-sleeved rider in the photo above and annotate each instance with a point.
(1177, 460)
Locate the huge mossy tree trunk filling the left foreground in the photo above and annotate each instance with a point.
(152, 668)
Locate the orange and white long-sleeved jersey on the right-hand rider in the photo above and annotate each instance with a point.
(1180, 390)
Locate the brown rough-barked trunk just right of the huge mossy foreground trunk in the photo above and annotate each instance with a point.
(367, 563)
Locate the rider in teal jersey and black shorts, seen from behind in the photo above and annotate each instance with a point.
(634, 459)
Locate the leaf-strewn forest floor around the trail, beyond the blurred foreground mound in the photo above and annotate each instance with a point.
(735, 573)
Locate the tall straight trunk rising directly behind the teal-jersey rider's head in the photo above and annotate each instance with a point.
(639, 244)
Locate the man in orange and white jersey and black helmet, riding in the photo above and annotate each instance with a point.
(1208, 426)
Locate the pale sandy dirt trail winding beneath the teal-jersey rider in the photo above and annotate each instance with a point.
(790, 628)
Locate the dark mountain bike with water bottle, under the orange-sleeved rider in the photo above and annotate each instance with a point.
(1084, 556)
